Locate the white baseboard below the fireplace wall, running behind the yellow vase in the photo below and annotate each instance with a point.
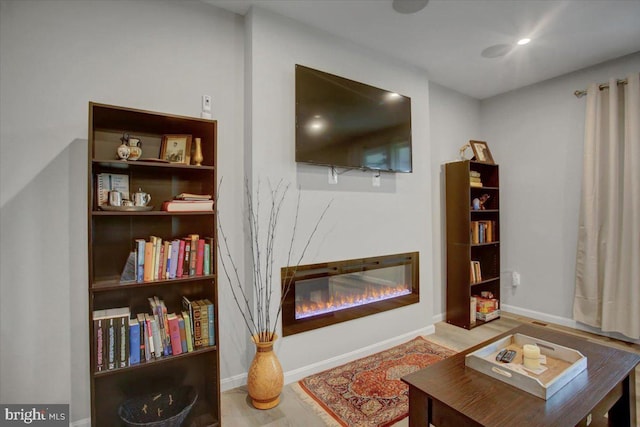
(304, 371)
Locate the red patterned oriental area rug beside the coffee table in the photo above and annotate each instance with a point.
(368, 392)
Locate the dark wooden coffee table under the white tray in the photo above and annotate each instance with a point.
(448, 393)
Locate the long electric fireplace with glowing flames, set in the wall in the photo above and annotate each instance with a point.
(320, 295)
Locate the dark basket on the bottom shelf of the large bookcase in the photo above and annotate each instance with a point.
(167, 408)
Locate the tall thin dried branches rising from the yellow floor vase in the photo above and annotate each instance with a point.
(257, 316)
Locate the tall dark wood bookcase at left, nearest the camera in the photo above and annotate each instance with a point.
(112, 236)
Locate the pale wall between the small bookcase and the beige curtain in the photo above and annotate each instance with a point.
(536, 135)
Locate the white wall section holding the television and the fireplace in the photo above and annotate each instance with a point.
(363, 221)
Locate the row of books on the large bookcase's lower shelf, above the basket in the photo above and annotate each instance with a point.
(122, 340)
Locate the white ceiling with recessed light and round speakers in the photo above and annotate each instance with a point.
(446, 38)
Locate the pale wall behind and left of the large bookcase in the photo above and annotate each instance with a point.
(55, 57)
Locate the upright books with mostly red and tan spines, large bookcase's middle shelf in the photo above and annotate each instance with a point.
(173, 259)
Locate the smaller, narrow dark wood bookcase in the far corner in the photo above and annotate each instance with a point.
(461, 249)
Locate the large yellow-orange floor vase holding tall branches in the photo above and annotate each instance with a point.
(265, 378)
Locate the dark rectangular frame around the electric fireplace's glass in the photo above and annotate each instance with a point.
(289, 275)
